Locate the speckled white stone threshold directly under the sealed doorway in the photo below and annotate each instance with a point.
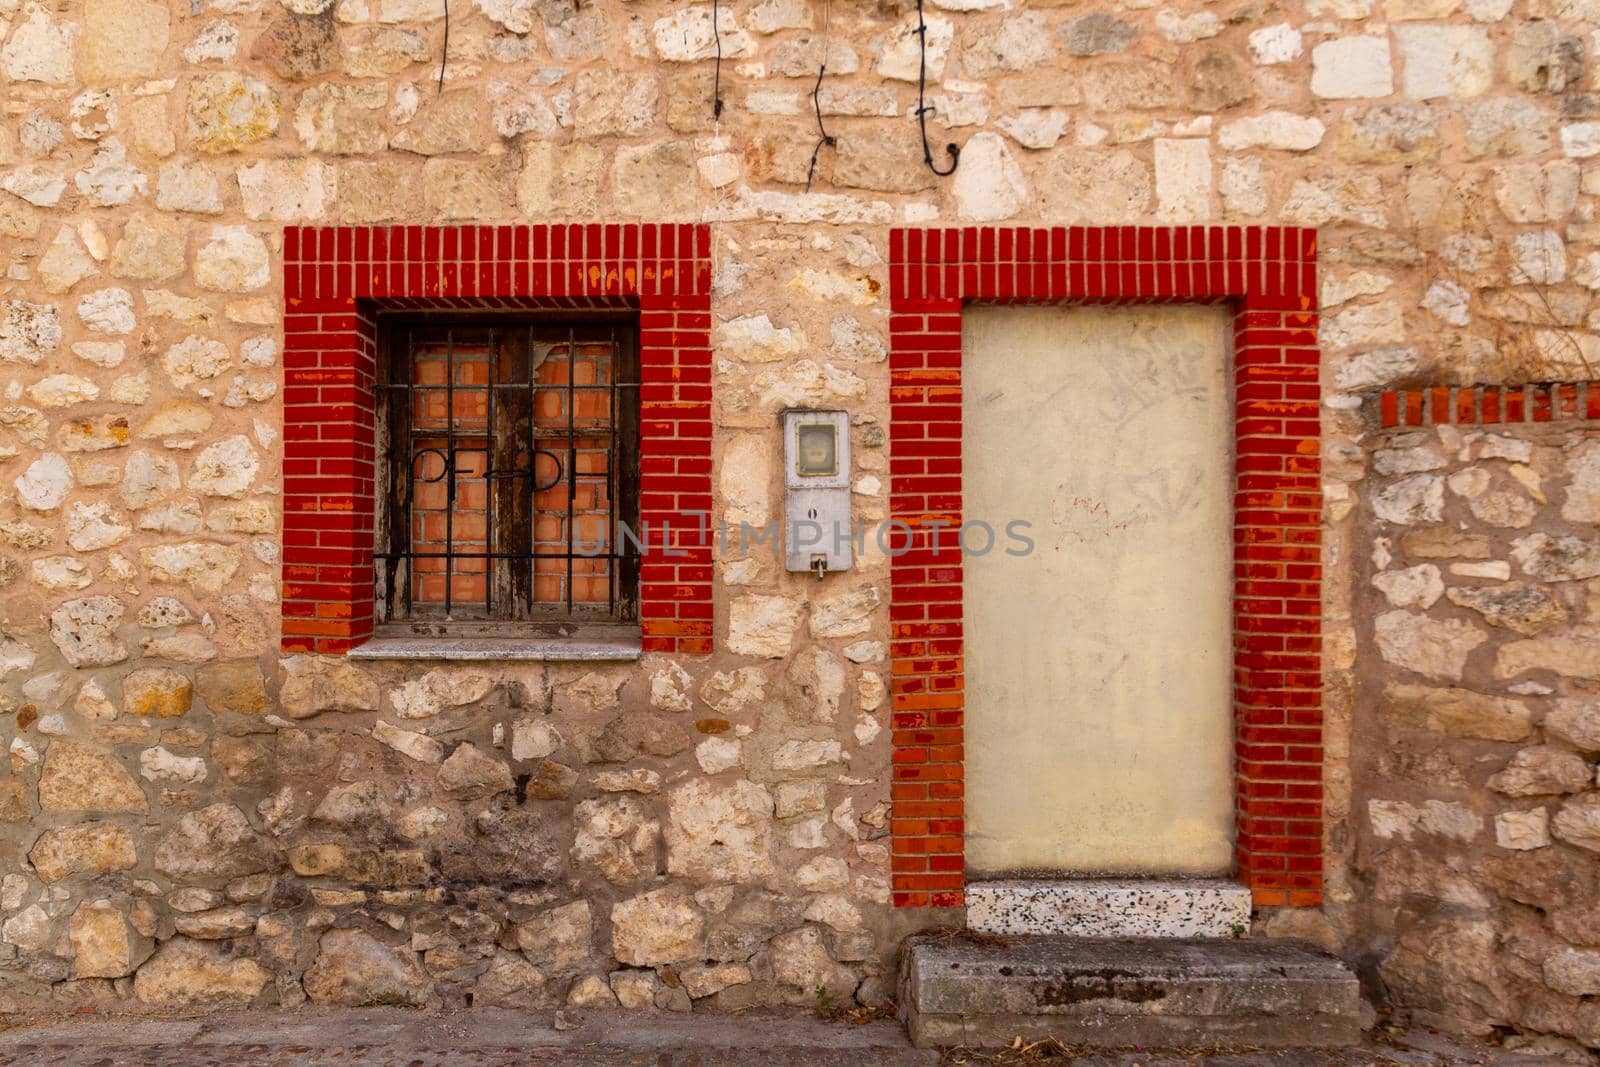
(1110, 908)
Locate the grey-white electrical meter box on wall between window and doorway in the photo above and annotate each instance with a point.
(817, 492)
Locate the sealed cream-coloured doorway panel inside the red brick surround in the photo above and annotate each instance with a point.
(1098, 665)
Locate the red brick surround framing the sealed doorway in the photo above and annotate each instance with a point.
(1270, 278)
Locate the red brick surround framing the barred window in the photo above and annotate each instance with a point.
(337, 281)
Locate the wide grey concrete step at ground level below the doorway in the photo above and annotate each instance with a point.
(1159, 993)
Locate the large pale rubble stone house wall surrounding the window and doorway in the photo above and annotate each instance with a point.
(190, 818)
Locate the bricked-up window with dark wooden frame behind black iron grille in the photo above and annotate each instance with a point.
(508, 470)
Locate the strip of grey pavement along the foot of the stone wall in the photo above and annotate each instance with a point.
(380, 1037)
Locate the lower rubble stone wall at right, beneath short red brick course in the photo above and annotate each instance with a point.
(1479, 725)
